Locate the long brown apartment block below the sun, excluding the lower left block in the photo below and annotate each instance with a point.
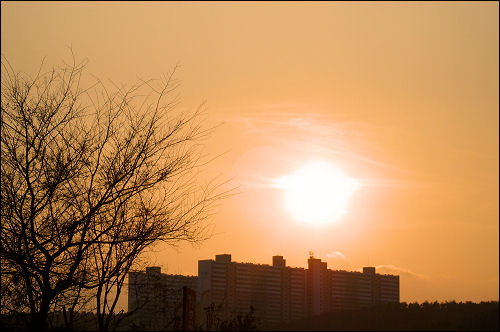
(279, 293)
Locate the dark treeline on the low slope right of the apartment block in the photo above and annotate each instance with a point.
(414, 316)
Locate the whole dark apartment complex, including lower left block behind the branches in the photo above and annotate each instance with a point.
(274, 293)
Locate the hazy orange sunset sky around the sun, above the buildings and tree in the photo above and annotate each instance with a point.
(402, 98)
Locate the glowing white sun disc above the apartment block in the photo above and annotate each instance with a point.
(317, 193)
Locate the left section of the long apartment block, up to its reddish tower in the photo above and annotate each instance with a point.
(276, 292)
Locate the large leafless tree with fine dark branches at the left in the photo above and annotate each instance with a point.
(90, 179)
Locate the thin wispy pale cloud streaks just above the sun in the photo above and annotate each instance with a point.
(295, 128)
